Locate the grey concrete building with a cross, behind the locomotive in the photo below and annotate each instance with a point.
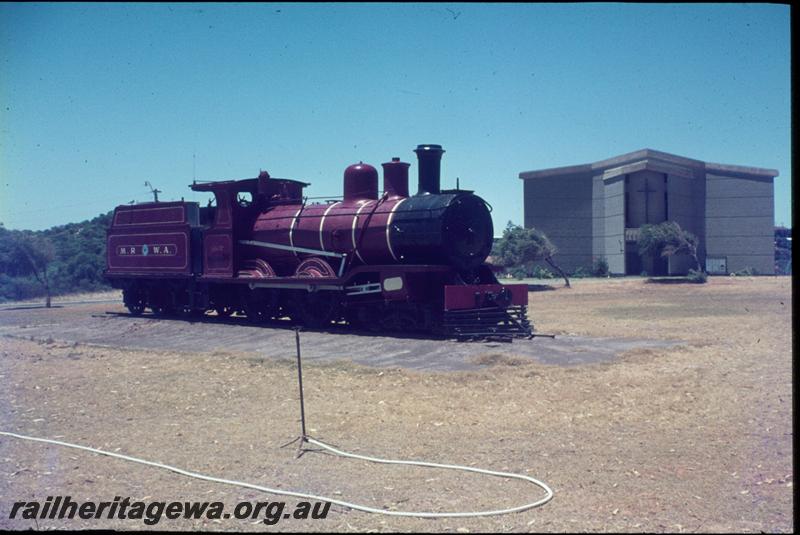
(595, 210)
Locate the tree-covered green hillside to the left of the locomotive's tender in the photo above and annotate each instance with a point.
(66, 259)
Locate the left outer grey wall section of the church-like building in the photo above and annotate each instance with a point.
(561, 207)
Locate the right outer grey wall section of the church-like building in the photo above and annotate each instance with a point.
(740, 222)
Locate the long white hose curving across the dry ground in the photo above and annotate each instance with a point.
(324, 498)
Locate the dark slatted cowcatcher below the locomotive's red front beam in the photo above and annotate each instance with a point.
(488, 322)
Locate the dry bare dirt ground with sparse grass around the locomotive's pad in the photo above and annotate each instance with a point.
(690, 437)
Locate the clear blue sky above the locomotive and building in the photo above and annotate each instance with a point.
(98, 98)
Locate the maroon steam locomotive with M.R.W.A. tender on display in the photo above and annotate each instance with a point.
(390, 262)
